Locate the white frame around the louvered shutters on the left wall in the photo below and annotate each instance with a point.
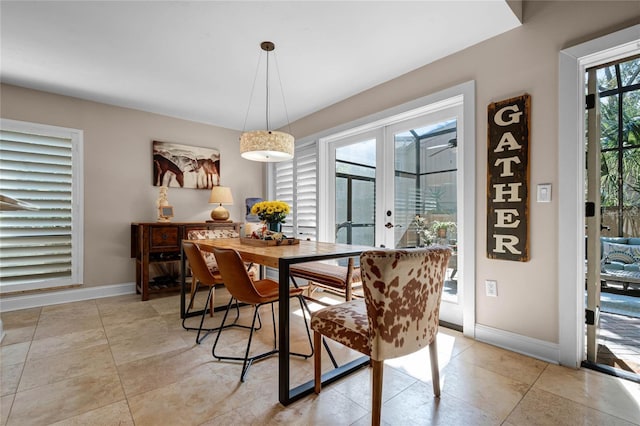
(77, 222)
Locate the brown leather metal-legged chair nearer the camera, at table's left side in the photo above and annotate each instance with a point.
(256, 293)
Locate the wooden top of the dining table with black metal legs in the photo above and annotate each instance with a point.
(270, 255)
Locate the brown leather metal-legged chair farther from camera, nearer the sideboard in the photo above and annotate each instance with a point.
(201, 275)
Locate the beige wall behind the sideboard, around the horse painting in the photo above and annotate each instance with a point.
(118, 185)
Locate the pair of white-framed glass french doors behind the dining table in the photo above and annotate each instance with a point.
(383, 179)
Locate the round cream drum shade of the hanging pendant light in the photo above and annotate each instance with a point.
(266, 146)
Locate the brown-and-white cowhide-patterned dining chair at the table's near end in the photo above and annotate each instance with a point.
(398, 315)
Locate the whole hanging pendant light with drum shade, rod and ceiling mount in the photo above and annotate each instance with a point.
(266, 145)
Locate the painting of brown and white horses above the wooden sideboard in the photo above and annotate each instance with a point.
(183, 166)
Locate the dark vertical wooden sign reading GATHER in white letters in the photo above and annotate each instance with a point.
(508, 179)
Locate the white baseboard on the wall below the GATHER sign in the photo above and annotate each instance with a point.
(540, 349)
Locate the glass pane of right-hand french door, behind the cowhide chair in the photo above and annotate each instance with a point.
(426, 187)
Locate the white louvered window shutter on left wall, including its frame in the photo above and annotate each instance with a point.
(39, 247)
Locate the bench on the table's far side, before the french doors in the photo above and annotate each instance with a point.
(332, 277)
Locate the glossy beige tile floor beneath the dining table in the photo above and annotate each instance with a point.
(122, 361)
